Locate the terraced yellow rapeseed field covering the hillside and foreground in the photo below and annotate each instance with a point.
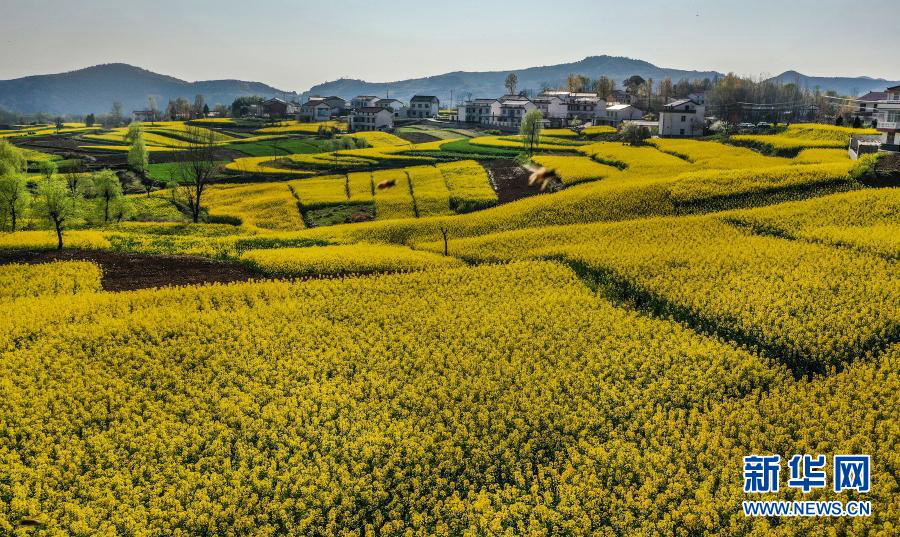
(367, 341)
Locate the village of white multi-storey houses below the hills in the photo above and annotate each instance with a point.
(685, 117)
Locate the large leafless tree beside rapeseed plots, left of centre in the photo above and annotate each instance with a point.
(197, 168)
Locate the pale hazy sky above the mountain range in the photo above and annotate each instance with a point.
(293, 45)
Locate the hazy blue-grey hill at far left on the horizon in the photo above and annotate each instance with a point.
(93, 90)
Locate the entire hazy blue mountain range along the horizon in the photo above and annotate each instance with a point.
(94, 89)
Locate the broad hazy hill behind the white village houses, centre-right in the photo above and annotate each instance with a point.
(490, 83)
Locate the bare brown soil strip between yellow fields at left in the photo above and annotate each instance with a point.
(125, 272)
